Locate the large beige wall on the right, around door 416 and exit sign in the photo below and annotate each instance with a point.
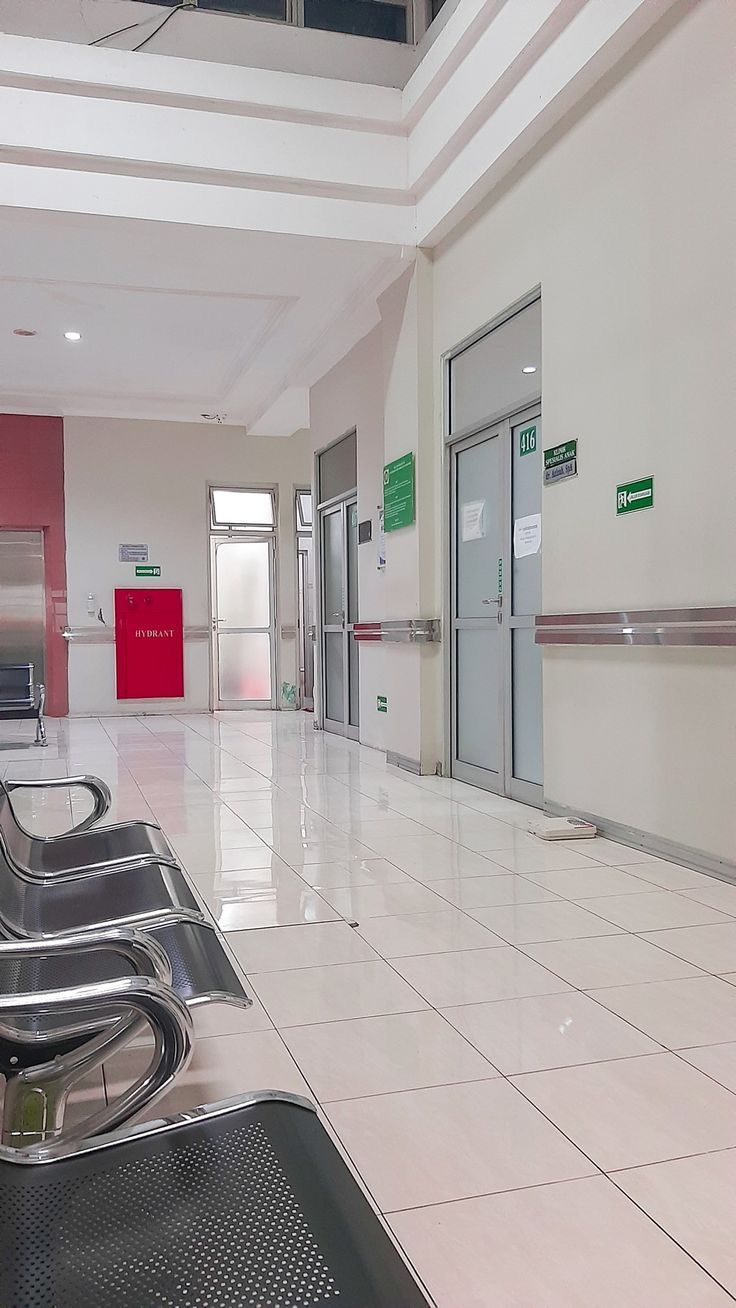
(627, 222)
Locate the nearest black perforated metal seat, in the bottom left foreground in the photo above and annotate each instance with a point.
(240, 1205)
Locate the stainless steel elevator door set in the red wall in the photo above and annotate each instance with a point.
(23, 601)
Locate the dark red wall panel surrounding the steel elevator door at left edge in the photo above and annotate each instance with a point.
(32, 498)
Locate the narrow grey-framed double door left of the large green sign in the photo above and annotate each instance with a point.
(341, 669)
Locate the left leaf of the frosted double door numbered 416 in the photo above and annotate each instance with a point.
(478, 610)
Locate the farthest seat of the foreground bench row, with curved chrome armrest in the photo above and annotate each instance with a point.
(87, 848)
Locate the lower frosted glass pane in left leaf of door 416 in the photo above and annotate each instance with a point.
(478, 721)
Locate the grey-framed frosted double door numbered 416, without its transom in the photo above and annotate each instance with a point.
(496, 593)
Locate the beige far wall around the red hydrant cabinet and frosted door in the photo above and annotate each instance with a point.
(147, 482)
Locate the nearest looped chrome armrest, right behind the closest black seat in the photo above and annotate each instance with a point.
(36, 1099)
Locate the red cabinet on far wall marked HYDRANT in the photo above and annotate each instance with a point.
(150, 644)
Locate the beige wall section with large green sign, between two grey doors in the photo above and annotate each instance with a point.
(384, 389)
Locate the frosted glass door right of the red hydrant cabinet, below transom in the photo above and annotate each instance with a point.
(244, 623)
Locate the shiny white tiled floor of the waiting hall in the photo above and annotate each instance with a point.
(527, 1051)
